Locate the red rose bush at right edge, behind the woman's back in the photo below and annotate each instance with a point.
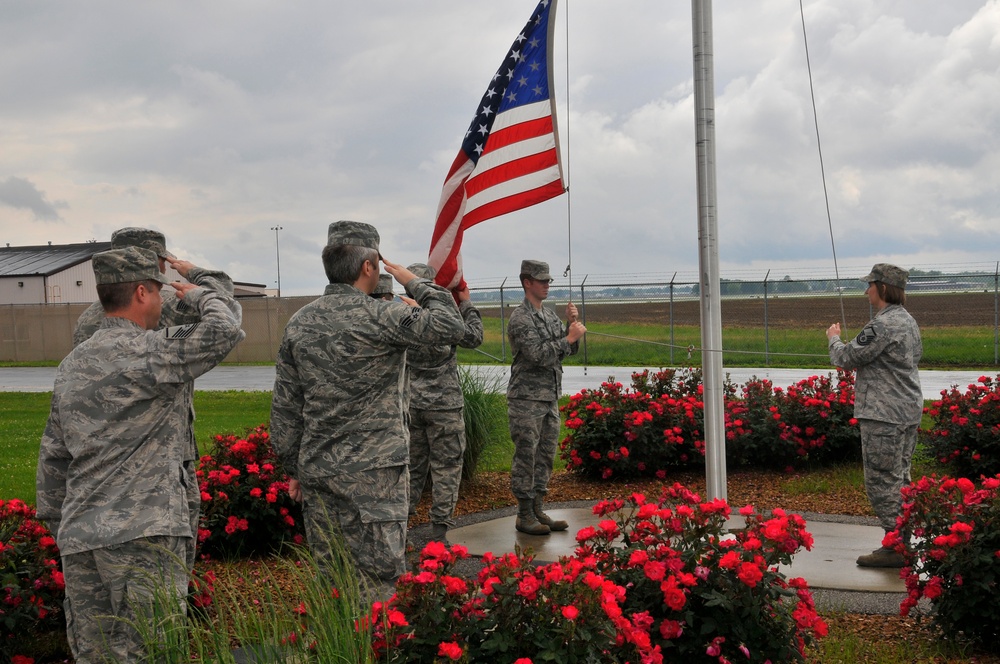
(965, 429)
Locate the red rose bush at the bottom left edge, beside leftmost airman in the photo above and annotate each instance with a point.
(33, 591)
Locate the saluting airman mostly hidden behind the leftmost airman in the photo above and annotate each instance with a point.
(175, 311)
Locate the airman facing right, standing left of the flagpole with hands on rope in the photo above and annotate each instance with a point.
(538, 342)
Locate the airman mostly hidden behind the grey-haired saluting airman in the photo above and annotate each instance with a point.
(437, 427)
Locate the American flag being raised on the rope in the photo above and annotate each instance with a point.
(510, 156)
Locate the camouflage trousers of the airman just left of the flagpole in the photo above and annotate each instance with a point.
(534, 428)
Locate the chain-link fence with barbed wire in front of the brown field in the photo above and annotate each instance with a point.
(765, 322)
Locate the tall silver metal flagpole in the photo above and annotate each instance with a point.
(708, 257)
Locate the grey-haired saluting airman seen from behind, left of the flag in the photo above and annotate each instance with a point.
(337, 416)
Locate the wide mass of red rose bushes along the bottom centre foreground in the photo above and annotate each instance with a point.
(655, 581)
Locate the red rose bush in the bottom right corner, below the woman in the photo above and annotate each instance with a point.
(953, 559)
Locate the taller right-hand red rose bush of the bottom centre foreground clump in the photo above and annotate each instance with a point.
(705, 595)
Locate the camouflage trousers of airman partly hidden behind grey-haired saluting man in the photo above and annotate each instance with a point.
(437, 447)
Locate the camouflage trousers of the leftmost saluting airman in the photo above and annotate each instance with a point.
(111, 588)
